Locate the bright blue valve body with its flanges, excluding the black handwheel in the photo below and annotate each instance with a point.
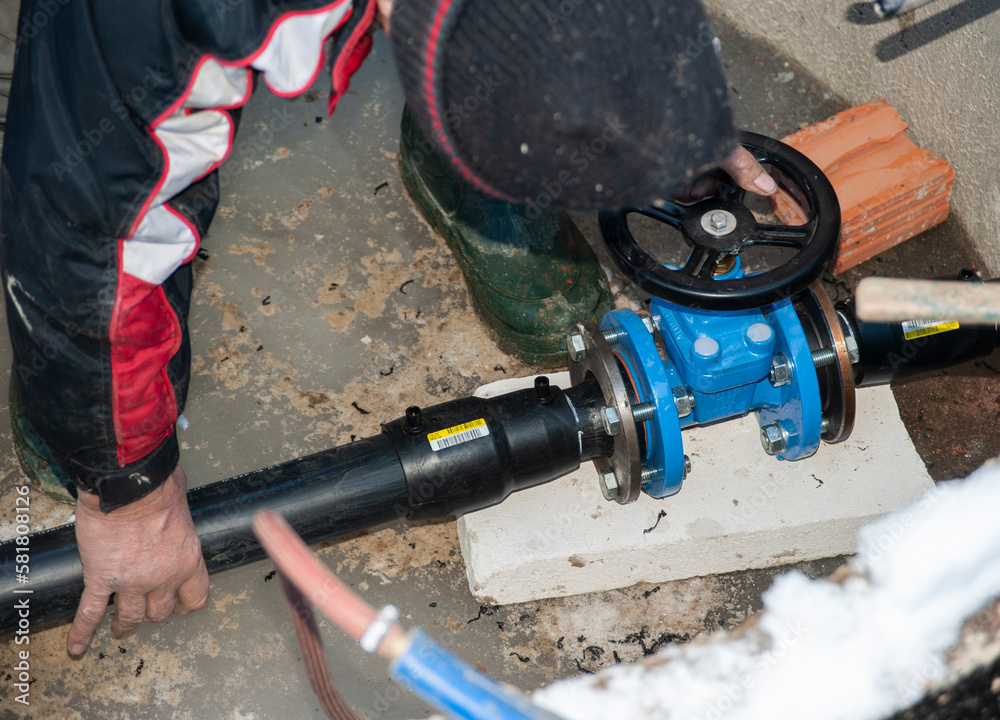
(714, 366)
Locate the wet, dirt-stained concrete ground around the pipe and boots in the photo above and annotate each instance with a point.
(324, 306)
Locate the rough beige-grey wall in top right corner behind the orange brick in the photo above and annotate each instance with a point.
(946, 86)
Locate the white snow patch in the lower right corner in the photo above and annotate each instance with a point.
(827, 651)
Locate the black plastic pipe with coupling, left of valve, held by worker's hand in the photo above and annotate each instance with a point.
(509, 443)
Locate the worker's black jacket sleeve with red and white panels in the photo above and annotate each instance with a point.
(120, 112)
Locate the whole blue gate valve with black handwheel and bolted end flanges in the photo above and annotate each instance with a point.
(722, 340)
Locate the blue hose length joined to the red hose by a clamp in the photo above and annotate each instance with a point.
(456, 688)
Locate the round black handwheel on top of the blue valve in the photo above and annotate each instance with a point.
(720, 227)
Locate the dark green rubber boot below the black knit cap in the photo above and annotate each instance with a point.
(531, 279)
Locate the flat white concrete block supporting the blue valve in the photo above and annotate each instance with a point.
(738, 509)
